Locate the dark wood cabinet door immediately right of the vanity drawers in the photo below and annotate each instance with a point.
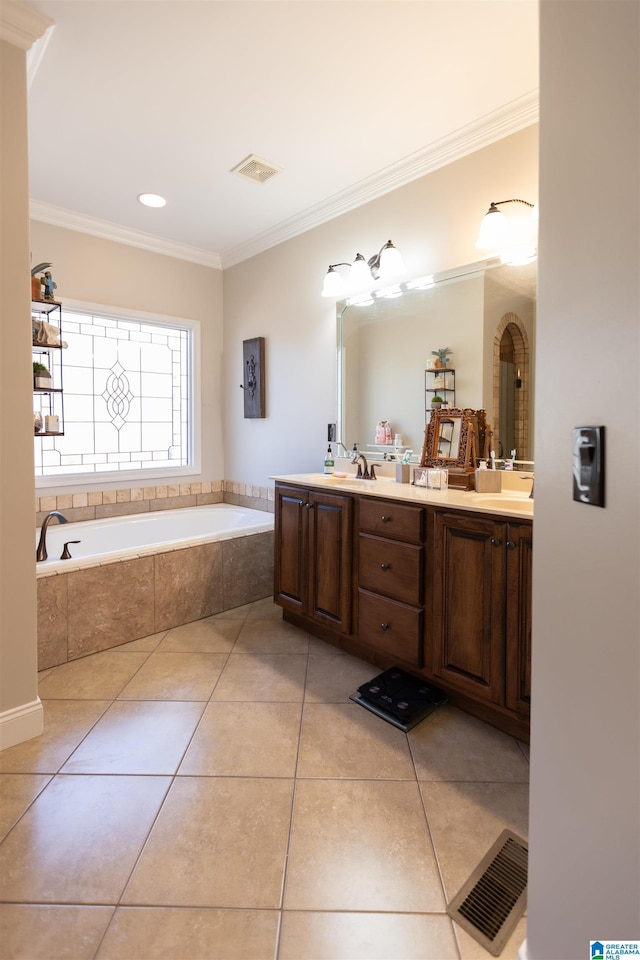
(469, 604)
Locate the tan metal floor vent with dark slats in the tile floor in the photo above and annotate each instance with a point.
(494, 897)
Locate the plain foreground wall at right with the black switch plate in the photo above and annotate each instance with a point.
(585, 797)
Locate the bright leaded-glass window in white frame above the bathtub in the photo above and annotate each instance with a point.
(128, 398)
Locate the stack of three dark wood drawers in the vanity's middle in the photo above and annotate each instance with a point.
(391, 579)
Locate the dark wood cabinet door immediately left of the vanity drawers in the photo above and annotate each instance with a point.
(330, 559)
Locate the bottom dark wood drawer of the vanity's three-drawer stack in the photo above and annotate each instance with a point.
(391, 627)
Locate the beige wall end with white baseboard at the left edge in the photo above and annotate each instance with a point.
(20, 709)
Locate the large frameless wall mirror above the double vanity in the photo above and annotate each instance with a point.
(485, 313)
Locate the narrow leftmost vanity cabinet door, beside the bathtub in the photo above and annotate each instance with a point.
(290, 568)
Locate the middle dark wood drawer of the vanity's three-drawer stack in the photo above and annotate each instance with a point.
(391, 568)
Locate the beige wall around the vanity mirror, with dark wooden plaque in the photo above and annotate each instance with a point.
(433, 222)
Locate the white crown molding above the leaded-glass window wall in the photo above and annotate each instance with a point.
(61, 217)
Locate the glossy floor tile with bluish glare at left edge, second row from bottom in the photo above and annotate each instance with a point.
(79, 839)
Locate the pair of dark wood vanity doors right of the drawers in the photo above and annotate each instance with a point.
(481, 624)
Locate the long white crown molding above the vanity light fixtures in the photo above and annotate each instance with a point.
(509, 119)
